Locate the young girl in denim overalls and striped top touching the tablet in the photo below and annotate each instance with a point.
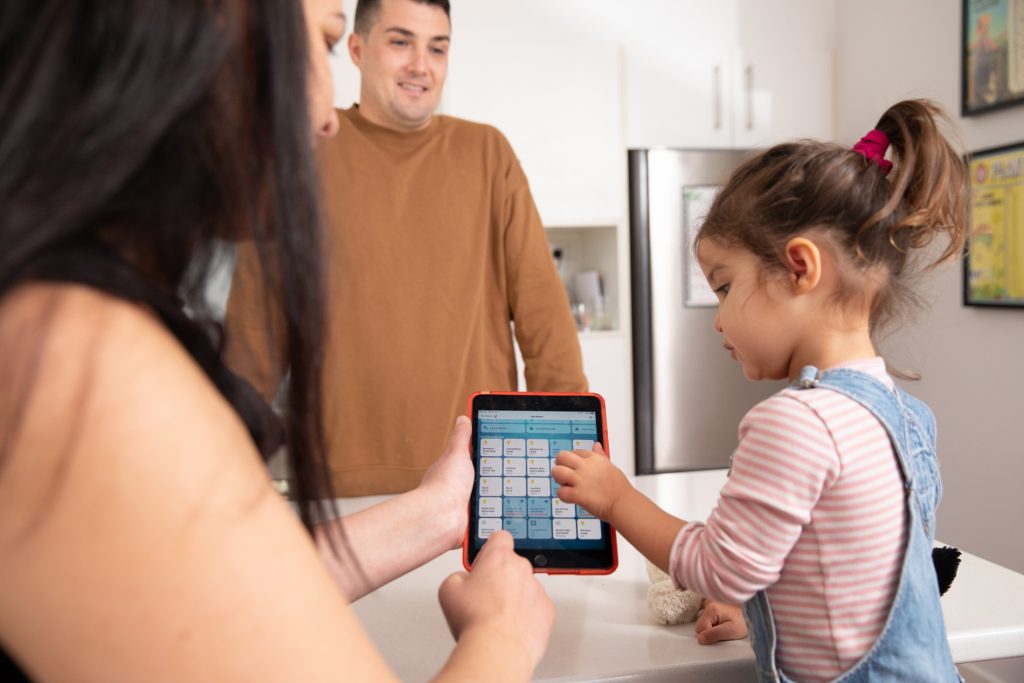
(825, 529)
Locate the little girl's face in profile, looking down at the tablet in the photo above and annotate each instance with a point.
(759, 325)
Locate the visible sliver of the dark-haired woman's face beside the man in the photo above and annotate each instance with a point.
(326, 26)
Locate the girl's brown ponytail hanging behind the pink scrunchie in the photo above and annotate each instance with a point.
(928, 185)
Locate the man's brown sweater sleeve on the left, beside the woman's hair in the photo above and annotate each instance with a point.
(254, 333)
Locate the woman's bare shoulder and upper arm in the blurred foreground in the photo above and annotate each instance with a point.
(132, 496)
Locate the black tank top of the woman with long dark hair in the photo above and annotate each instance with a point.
(97, 266)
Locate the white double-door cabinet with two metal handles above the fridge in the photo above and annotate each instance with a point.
(765, 76)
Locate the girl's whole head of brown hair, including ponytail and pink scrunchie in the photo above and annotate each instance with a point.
(874, 220)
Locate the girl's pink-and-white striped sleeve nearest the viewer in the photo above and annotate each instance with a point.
(785, 460)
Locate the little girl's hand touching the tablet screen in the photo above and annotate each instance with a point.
(589, 479)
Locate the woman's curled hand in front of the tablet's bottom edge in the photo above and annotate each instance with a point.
(501, 600)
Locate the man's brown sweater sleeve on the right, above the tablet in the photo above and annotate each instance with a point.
(538, 302)
